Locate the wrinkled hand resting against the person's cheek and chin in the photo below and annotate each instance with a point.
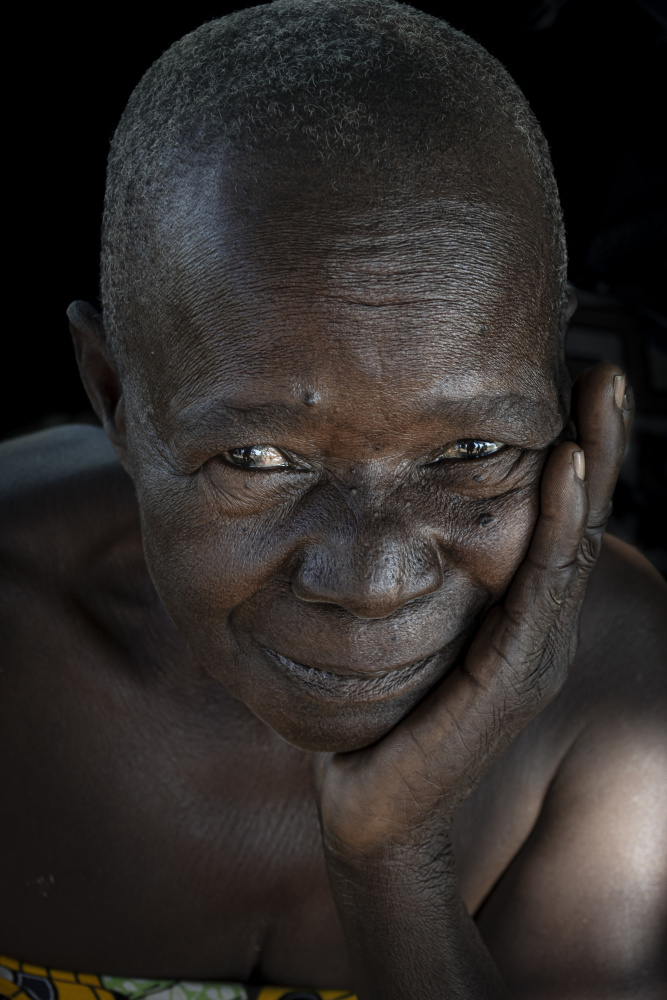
(400, 790)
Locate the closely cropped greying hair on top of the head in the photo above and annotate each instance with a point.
(364, 84)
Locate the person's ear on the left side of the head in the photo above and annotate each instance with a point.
(98, 372)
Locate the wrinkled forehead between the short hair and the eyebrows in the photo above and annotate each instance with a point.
(292, 286)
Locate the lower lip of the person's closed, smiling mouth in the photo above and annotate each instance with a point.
(352, 687)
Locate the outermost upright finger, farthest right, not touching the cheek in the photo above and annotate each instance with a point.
(603, 410)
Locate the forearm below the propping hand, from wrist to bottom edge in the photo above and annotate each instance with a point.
(407, 930)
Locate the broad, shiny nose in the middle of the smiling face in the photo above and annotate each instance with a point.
(371, 573)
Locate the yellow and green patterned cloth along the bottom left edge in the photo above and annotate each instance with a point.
(22, 981)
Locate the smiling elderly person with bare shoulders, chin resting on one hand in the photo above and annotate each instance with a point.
(321, 673)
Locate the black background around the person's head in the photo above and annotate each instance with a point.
(593, 71)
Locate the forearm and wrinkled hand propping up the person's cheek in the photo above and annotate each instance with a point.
(386, 810)
